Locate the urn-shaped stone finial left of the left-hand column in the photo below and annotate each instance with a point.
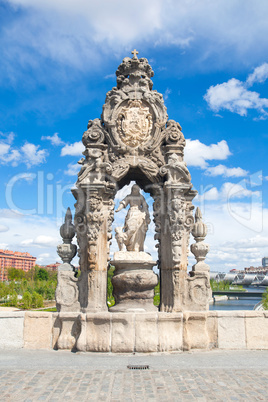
(67, 250)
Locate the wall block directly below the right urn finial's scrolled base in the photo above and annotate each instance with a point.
(195, 333)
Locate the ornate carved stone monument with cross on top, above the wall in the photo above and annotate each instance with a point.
(134, 140)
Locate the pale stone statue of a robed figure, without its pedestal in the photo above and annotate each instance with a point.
(132, 235)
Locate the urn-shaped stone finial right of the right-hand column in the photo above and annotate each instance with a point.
(200, 248)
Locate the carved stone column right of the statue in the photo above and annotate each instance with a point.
(176, 225)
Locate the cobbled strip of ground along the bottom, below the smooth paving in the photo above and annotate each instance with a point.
(134, 385)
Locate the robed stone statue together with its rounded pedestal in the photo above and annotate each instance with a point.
(133, 280)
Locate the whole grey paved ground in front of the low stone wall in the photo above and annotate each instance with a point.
(64, 376)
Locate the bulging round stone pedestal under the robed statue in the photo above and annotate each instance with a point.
(133, 282)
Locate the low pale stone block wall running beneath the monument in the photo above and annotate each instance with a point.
(127, 332)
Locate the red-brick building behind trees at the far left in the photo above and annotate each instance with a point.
(15, 259)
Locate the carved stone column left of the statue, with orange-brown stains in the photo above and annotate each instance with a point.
(93, 219)
